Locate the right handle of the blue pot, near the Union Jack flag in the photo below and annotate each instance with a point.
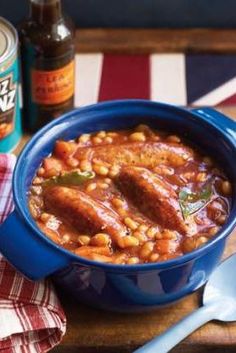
(219, 120)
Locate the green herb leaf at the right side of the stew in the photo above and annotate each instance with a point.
(192, 202)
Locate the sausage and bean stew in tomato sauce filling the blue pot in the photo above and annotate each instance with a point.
(129, 196)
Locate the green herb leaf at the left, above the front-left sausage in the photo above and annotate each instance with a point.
(71, 178)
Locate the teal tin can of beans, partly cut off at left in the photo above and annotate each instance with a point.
(10, 119)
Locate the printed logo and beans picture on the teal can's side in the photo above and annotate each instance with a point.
(7, 105)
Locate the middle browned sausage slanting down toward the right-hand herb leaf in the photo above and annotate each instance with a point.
(152, 196)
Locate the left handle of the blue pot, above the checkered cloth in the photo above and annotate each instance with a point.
(32, 255)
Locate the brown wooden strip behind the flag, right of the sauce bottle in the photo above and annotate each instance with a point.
(140, 41)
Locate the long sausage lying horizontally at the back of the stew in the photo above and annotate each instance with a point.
(140, 154)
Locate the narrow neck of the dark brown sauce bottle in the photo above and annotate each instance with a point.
(45, 11)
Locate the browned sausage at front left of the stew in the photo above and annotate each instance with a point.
(82, 212)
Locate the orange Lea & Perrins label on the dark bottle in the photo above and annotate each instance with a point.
(53, 87)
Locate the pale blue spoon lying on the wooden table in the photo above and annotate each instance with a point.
(219, 303)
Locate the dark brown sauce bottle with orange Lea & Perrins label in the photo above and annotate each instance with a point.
(47, 48)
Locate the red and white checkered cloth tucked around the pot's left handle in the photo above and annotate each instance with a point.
(31, 317)
